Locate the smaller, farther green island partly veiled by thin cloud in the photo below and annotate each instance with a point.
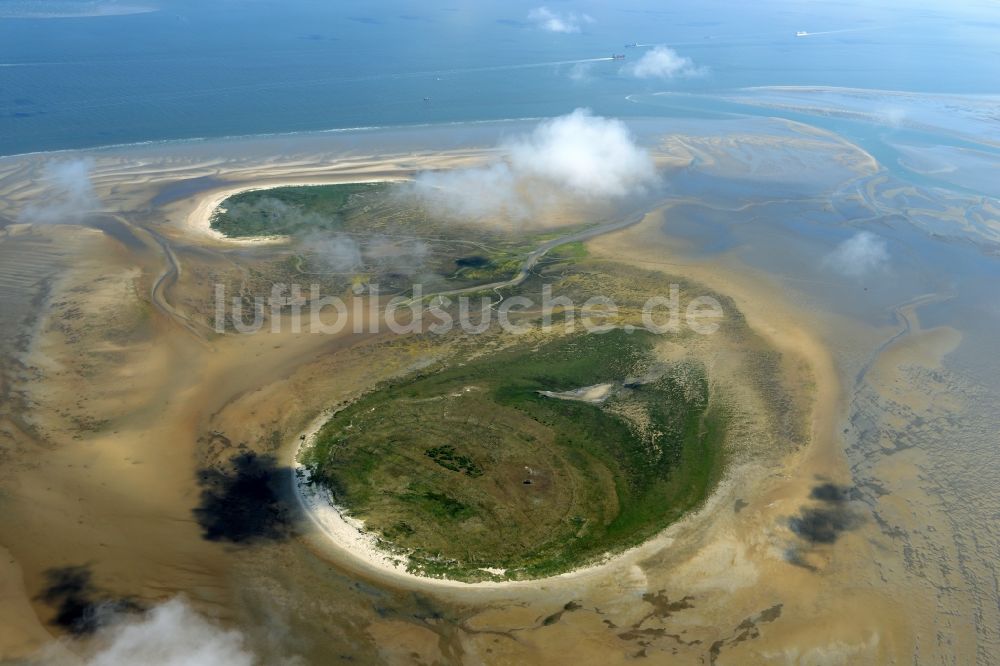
(369, 232)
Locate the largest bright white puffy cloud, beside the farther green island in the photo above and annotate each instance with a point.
(581, 155)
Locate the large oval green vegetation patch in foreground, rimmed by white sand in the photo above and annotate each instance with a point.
(470, 466)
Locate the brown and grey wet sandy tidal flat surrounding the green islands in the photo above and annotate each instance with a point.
(852, 539)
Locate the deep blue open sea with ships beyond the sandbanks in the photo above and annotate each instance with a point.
(176, 69)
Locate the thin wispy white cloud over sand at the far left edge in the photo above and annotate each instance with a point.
(68, 194)
